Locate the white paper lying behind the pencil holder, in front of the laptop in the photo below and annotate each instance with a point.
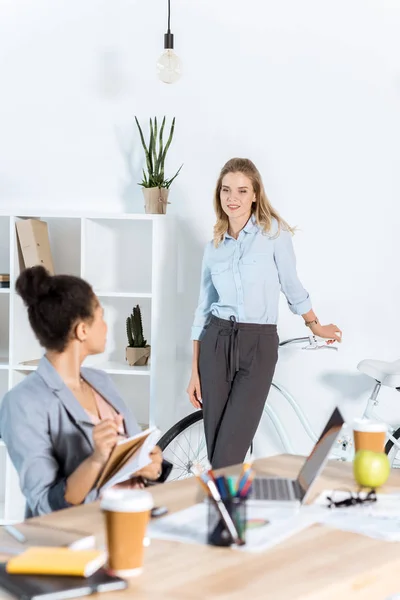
(266, 526)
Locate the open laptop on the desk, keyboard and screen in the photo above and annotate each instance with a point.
(275, 489)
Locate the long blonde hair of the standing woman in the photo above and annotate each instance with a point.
(262, 209)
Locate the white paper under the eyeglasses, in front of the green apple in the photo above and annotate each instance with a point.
(379, 520)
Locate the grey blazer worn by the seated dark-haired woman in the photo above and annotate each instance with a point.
(48, 433)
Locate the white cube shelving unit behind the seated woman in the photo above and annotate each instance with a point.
(128, 259)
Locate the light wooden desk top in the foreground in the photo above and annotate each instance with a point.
(317, 564)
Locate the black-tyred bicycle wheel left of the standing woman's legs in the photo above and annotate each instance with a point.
(184, 445)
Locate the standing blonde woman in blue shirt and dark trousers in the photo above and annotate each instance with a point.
(235, 340)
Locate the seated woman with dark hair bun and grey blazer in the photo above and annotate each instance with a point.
(61, 422)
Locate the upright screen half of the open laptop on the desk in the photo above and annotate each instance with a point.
(319, 455)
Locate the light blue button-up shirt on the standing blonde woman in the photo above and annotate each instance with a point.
(244, 277)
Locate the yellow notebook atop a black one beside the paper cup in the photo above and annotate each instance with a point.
(46, 560)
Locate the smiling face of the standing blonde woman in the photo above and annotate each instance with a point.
(237, 195)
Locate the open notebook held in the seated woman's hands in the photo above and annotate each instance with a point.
(128, 457)
